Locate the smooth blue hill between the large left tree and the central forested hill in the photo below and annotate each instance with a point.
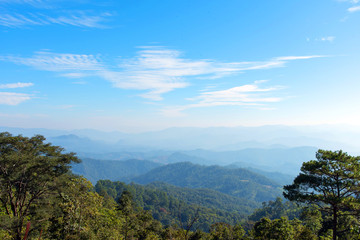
(95, 170)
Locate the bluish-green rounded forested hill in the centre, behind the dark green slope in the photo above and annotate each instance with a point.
(236, 182)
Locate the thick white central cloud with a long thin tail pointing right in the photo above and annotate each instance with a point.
(162, 70)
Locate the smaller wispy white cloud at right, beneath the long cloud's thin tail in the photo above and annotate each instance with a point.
(245, 95)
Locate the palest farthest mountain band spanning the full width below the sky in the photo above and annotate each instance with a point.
(211, 138)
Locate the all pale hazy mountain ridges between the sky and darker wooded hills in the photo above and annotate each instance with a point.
(273, 152)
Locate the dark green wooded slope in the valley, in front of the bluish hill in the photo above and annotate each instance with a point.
(166, 208)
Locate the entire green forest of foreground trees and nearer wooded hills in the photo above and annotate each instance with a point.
(41, 198)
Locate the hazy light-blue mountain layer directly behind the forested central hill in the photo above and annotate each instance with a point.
(282, 160)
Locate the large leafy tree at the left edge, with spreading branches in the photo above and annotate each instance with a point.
(30, 172)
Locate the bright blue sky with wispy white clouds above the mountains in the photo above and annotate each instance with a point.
(147, 65)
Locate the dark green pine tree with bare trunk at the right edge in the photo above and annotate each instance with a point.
(331, 182)
